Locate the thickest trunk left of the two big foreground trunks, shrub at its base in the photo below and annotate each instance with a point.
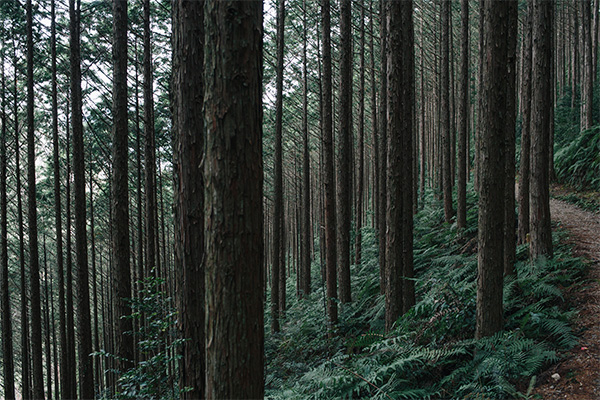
(121, 285)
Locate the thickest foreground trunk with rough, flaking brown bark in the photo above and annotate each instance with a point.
(233, 200)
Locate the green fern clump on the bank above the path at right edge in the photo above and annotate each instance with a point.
(578, 163)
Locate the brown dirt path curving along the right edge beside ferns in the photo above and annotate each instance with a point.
(577, 375)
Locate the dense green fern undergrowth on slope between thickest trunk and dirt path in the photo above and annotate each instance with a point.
(431, 352)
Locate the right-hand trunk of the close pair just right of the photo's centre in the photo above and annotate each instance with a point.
(344, 174)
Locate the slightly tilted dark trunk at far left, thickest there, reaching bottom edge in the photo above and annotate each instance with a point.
(85, 364)
